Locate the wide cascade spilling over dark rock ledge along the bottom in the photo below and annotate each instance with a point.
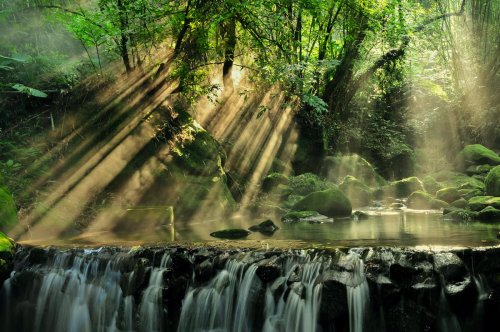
(184, 290)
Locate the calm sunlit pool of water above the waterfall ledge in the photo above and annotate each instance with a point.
(382, 228)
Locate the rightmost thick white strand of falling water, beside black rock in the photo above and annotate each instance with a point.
(357, 293)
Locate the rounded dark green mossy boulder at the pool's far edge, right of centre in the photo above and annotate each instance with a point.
(331, 202)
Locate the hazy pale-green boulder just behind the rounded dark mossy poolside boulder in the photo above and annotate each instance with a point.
(338, 167)
